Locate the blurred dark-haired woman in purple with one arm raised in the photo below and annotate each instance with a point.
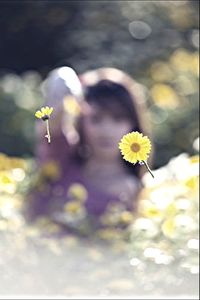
(90, 175)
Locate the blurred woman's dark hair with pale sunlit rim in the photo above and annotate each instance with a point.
(116, 98)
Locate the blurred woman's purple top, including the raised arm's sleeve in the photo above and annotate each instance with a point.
(53, 194)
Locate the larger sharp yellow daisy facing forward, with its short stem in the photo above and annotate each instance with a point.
(135, 148)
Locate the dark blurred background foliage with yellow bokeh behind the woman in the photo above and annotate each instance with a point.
(156, 42)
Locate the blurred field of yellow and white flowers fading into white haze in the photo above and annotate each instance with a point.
(156, 255)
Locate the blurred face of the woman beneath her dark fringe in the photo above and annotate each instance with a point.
(103, 130)
